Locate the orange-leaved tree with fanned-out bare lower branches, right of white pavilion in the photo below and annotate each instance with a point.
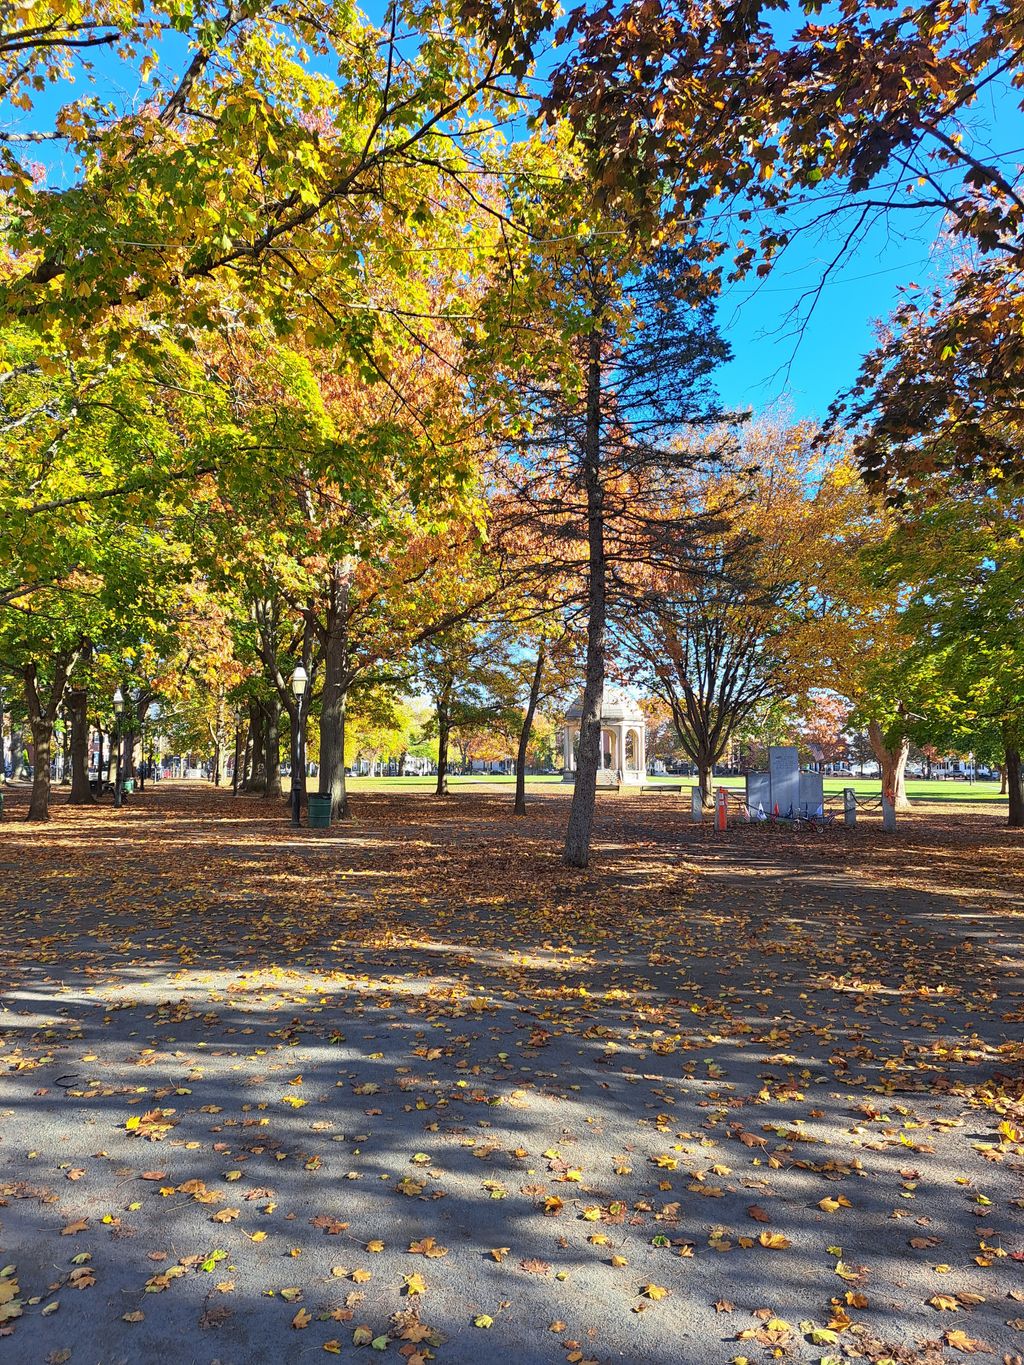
(738, 623)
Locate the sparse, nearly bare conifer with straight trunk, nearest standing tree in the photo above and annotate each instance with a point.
(623, 369)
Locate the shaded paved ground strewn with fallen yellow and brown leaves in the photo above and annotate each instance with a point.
(414, 1089)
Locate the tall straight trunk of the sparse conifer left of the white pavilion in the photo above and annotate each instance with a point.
(585, 790)
